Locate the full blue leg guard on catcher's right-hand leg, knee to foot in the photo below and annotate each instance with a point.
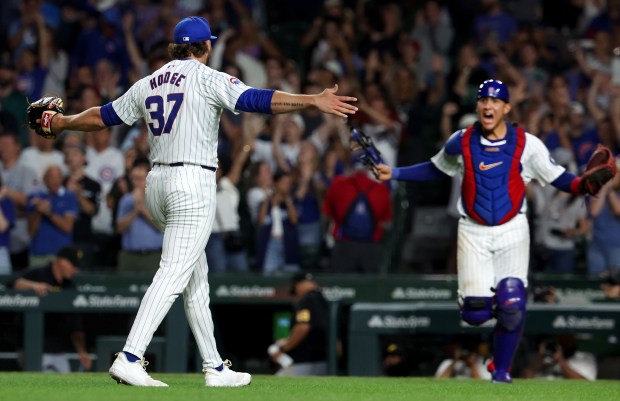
(510, 313)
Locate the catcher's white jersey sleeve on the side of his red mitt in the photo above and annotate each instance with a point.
(538, 163)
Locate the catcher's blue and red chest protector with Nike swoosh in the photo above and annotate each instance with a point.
(493, 190)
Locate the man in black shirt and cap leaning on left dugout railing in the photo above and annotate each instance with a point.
(63, 333)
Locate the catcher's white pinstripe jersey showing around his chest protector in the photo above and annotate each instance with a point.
(536, 163)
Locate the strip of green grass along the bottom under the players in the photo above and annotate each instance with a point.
(99, 387)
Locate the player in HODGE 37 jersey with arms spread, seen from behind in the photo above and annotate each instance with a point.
(181, 104)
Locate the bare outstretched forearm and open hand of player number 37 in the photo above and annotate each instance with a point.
(326, 101)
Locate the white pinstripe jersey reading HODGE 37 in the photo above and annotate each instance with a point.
(181, 103)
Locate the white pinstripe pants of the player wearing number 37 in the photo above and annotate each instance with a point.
(181, 201)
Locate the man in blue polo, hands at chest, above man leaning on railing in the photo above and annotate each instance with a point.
(51, 217)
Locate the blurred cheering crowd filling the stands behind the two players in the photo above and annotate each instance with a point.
(288, 186)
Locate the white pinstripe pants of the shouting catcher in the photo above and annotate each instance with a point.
(487, 254)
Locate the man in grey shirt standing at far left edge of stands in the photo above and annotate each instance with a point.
(19, 181)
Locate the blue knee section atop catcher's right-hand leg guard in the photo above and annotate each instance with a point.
(511, 300)
